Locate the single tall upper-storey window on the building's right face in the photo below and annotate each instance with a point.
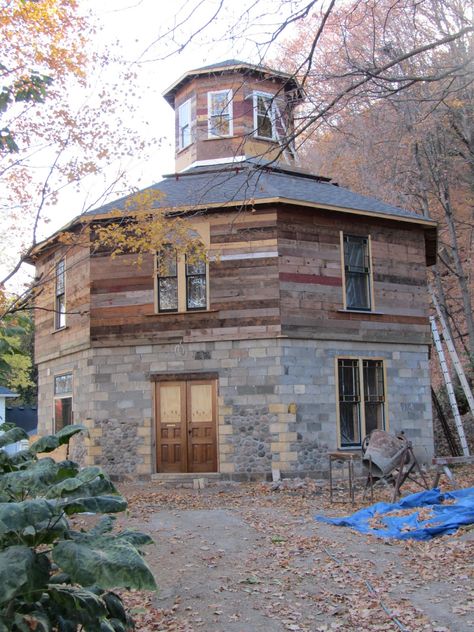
(357, 273)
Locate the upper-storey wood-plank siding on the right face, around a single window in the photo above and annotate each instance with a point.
(311, 279)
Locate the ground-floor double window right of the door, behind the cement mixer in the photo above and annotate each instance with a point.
(361, 387)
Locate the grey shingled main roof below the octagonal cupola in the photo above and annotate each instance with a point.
(247, 183)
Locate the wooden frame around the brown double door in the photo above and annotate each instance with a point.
(183, 377)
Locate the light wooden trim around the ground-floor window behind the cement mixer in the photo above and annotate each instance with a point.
(360, 366)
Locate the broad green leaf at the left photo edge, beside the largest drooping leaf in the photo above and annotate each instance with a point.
(21, 570)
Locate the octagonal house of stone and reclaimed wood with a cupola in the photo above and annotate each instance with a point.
(307, 328)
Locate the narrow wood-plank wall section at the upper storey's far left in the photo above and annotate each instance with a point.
(49, 342)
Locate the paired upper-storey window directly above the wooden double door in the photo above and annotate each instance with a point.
(181, 282)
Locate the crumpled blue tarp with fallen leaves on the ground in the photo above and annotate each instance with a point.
(447, 512)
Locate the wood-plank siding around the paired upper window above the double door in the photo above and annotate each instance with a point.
(243, 282)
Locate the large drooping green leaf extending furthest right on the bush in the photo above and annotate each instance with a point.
(103, 561)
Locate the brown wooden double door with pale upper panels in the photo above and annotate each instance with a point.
(186, 426)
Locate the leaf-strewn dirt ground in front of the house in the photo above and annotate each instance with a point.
(247, 558)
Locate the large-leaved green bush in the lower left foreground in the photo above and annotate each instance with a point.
(53, 576)
